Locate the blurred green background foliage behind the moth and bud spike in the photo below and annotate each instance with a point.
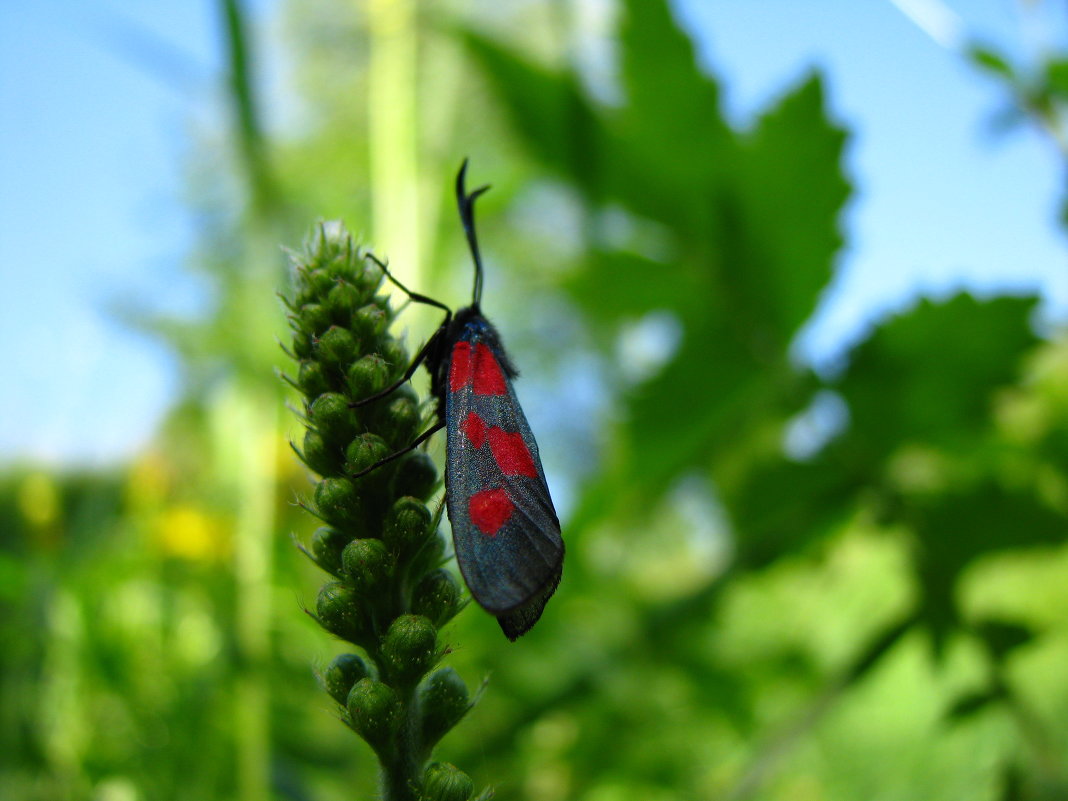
(781, 585)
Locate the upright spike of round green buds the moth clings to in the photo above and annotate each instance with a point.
(389, 594)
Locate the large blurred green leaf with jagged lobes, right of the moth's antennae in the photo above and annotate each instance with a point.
(749, 230)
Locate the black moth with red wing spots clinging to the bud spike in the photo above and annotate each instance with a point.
(506, 530)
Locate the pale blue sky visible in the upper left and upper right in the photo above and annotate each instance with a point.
(96, 135)
